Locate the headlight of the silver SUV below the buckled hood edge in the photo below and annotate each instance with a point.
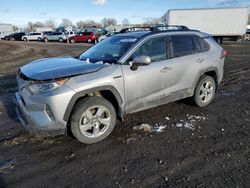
(45, 86)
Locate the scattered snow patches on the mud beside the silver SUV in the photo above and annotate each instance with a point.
(188, 123)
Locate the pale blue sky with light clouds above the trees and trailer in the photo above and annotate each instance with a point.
(19, 12)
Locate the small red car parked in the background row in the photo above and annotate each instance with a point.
(84, 37)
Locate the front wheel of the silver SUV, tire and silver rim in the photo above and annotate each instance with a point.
(92, 120)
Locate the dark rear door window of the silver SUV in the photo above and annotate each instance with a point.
(182, 45)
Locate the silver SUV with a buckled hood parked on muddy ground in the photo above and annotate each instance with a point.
(123, 74)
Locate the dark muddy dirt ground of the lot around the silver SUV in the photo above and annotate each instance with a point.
(198, 147)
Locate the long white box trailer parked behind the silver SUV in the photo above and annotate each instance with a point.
(219, 22)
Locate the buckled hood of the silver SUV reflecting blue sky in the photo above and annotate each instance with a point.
(53, 68)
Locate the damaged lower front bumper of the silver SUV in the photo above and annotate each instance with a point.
(36, 119)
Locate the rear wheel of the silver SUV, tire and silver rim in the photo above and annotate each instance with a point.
(205, 91)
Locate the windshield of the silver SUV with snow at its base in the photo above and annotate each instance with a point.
(109, 50)
